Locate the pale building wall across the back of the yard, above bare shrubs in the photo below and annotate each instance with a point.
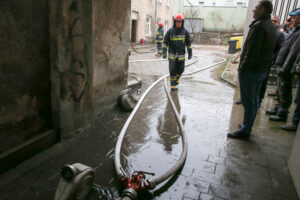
(217, 15)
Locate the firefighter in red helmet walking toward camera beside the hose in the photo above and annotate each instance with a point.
(177, 39)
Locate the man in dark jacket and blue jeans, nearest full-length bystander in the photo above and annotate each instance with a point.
(255, 61)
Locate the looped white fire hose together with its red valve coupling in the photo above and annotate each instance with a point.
(137, 182)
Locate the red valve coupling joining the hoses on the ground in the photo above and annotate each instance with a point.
(137, 182)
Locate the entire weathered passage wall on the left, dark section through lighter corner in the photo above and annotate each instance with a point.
(62, 63)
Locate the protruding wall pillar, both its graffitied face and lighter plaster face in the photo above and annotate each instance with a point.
(89, 46)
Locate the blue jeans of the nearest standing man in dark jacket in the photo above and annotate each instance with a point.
(250, 86)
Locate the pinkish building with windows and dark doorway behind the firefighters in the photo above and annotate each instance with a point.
(143, 16)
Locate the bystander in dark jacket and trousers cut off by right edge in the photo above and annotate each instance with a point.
(284, 63)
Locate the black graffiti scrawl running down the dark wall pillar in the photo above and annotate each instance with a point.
(75, 82)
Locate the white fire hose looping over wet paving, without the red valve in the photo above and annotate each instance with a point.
(154, 182)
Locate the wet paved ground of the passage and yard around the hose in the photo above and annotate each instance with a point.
(215, 168)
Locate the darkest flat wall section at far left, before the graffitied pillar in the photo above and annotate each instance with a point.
(24, 71)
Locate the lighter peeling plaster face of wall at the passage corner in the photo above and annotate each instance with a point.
(111, 28)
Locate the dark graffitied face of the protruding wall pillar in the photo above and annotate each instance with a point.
(72, 64)
